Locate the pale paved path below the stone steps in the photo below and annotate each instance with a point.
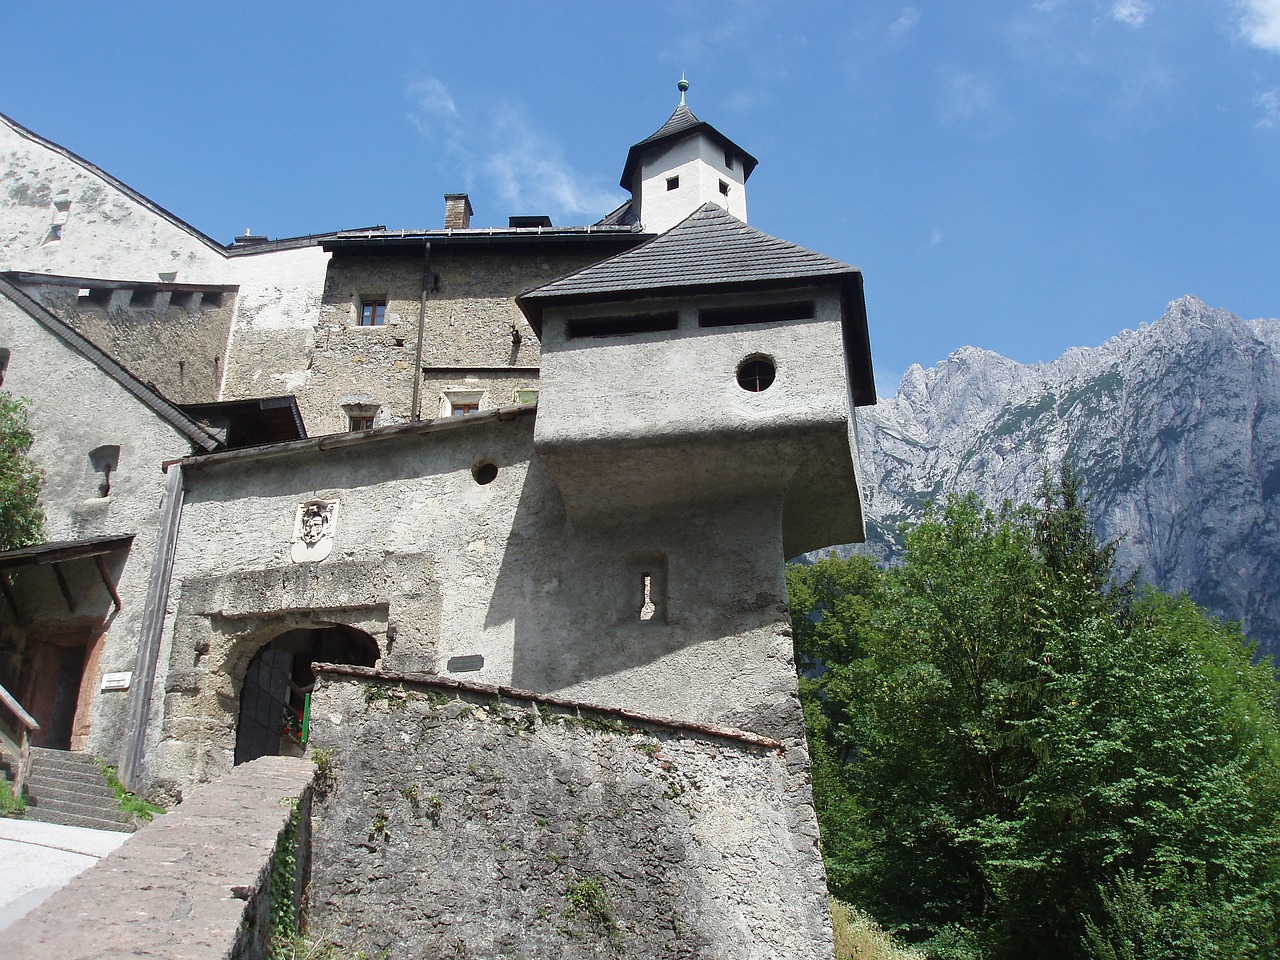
(38, 860)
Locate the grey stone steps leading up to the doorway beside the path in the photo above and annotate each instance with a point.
(70, 789)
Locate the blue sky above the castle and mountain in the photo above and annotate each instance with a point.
(1020, 176)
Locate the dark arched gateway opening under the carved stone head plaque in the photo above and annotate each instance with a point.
(273, 705)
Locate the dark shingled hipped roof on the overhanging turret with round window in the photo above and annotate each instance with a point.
(712, 250)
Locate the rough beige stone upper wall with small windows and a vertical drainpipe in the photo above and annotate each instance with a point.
(339, 368)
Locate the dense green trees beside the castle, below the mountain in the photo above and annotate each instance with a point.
(1014, 756)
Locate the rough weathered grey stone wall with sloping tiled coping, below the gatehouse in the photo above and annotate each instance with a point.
(464, 821)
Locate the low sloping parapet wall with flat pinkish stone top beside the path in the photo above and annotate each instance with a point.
(195, 884)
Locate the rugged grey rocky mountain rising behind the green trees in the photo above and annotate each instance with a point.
(1174, 427)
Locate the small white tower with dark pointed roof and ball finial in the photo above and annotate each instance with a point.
(684, 164)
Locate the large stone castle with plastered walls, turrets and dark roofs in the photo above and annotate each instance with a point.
(563, 460)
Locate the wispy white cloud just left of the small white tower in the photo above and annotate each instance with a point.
(505, 153)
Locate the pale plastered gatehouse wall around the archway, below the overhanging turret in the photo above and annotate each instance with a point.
(436, 566)
